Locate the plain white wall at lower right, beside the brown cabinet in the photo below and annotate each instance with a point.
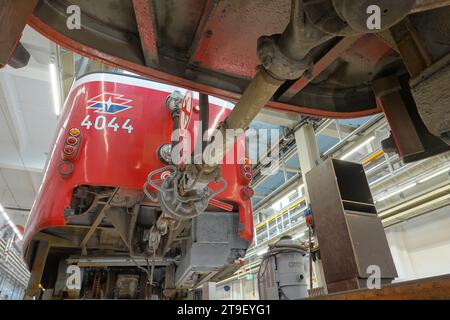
(421, 246)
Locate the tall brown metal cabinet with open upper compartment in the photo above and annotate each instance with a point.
(350, 234)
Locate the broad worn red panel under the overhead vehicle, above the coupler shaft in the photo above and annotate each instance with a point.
(228, 43)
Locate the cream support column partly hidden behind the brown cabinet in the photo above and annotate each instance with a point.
(309, 157)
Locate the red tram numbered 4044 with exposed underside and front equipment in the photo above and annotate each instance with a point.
(96, 232)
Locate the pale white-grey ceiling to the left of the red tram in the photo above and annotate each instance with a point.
(27, 125)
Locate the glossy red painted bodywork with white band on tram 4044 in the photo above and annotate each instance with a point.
(117, 158)
